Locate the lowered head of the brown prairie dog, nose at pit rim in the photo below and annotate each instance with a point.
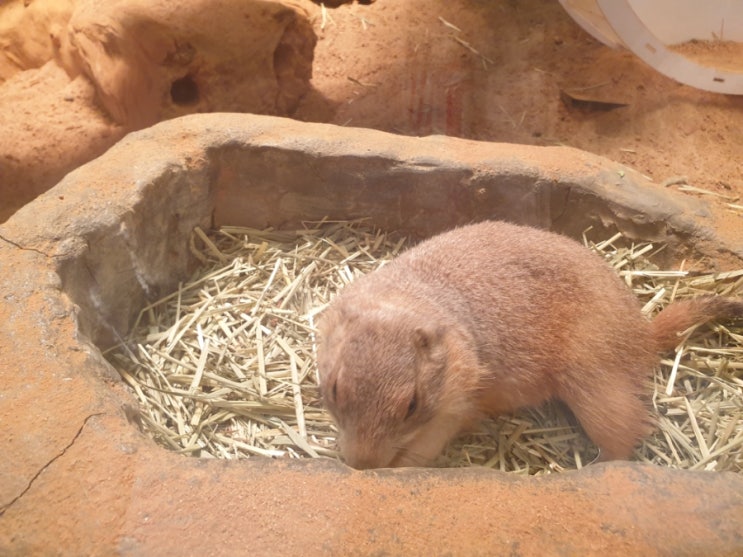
(386, 378)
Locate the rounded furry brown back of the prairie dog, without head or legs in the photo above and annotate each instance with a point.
(532, 299)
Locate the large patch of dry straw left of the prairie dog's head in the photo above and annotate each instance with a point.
(225, 366)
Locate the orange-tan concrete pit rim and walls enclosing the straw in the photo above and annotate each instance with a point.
(80, 261)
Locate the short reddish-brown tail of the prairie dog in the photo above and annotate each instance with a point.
(679, 316)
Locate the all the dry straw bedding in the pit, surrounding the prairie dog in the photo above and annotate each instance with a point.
(225, 366)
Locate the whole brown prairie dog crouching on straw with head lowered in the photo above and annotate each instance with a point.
(483, 320)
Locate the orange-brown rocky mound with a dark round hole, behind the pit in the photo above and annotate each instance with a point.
(90, 74)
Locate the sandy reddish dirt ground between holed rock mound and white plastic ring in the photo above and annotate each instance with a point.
(403, 67)
